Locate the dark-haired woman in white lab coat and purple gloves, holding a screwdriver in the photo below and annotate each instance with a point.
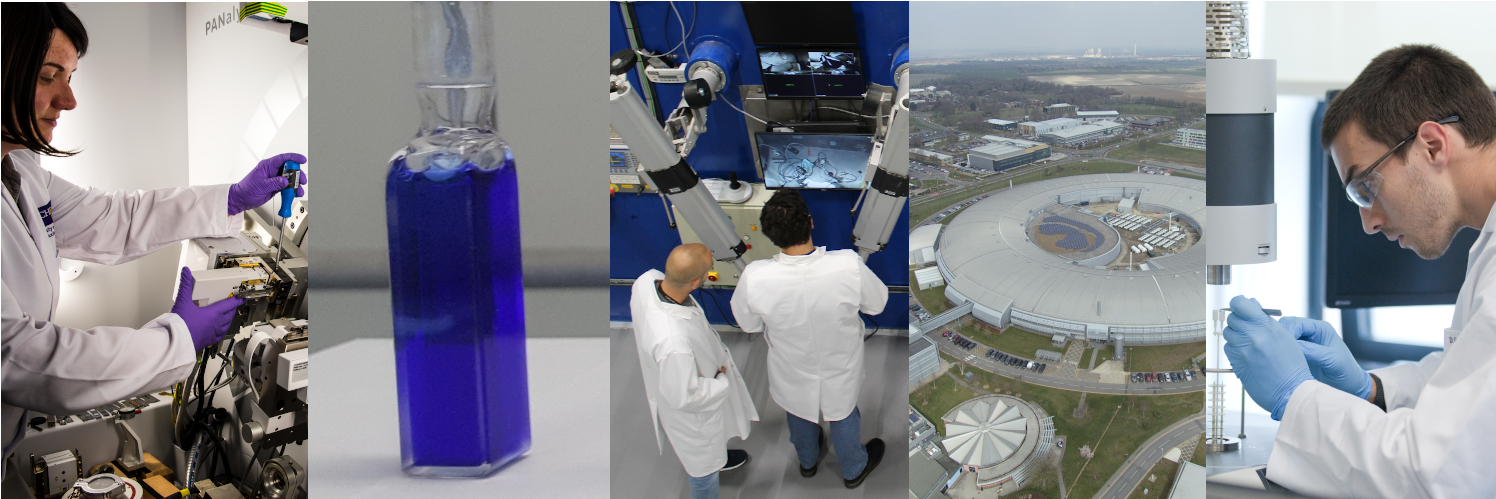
(52, 368)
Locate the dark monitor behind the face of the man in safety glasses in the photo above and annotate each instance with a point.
(1368, 270)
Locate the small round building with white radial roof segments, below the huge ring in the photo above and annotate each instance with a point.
(1000, 438)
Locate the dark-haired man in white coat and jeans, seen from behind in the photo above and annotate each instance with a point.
(807, 301)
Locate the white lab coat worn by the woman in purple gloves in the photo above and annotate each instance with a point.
(59, 370)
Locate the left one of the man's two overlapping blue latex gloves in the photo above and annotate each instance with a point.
(1265, 356)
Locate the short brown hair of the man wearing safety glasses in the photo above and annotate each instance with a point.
(1407, 86)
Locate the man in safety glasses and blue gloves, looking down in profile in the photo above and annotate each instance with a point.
(1413, 143)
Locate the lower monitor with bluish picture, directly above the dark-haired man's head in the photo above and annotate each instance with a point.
(813, 161)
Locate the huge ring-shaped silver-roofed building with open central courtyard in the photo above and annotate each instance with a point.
(1105, 258)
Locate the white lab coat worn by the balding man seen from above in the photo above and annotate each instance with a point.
(680, 356)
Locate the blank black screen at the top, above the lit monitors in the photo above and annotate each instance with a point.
(801, 23)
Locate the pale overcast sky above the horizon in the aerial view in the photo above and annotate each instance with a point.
(967, 29)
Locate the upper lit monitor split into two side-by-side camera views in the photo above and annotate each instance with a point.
(812, 74)
